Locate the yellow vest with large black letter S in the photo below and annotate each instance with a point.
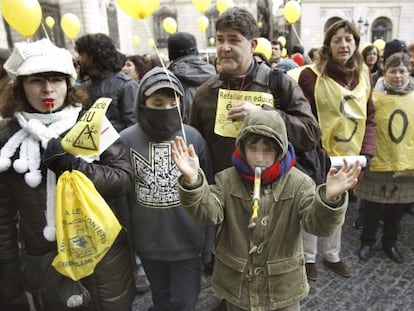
(342, 113)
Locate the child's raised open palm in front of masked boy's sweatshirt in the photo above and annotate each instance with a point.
(186, 159)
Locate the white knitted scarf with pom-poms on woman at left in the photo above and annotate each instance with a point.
(37, 129)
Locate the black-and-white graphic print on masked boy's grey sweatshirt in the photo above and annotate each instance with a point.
(156, 177)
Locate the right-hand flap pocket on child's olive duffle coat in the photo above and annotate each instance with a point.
(287, 278)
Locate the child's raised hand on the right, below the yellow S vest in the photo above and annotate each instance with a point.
(340, 180)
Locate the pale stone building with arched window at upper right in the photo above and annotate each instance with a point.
(376, 19)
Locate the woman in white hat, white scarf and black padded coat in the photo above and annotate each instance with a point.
(40, 107)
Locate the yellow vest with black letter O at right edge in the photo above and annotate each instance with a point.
(395, 133)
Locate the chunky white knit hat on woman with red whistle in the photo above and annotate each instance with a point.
(40, 56)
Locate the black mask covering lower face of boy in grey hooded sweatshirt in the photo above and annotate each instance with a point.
(160, 124)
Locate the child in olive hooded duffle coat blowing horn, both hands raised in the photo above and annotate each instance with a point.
(261, 266)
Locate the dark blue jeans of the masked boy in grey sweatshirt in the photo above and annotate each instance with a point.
(175, 285)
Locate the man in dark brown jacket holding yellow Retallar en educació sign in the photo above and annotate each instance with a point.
(221, 103)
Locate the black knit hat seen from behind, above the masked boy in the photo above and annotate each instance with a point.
(181, 44)
